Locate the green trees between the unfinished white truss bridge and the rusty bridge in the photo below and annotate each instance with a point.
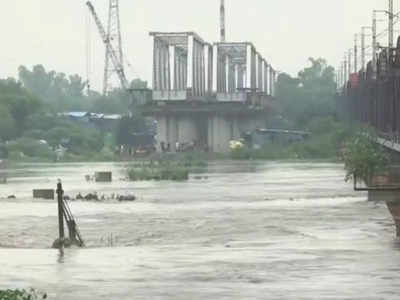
(306, 102)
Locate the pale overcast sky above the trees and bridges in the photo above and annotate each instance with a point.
(285, 32)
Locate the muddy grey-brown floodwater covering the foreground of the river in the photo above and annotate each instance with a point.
(239, 230)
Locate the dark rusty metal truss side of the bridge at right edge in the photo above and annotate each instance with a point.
(374, 97)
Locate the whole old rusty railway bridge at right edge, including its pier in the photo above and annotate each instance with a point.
(372, 97)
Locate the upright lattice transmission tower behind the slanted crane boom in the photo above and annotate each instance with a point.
(114, 38)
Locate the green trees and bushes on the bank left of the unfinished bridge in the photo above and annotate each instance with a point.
(30, 124)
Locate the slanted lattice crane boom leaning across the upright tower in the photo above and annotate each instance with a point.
(119, 68)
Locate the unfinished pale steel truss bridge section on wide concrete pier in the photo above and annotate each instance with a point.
(207, 94)
